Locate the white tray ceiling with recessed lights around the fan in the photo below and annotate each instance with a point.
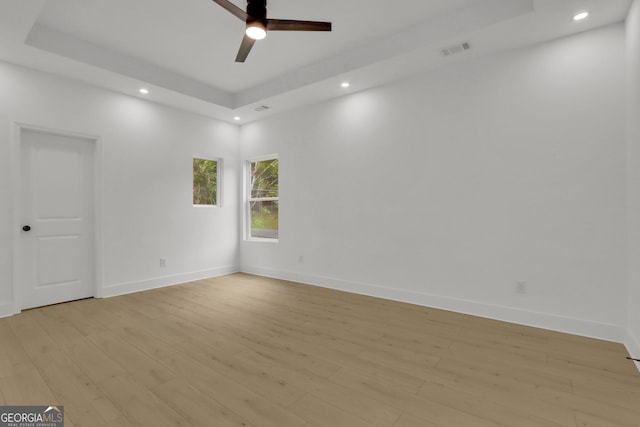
(184, 50)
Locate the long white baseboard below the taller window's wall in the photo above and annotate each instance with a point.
(583, 327)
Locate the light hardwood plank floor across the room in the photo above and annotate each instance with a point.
(248, 351)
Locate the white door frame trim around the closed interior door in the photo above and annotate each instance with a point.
(16, 203)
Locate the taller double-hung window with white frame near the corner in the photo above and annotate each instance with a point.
(262, 200)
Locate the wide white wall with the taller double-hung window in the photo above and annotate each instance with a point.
(448, 188)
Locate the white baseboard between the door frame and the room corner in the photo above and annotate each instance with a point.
(161, 282)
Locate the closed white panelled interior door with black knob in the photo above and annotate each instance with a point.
(57, 235)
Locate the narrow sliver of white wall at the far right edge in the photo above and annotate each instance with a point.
(633, 165)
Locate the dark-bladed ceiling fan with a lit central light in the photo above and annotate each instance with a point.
(258, 24)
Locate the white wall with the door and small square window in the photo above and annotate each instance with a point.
(145, 185)
